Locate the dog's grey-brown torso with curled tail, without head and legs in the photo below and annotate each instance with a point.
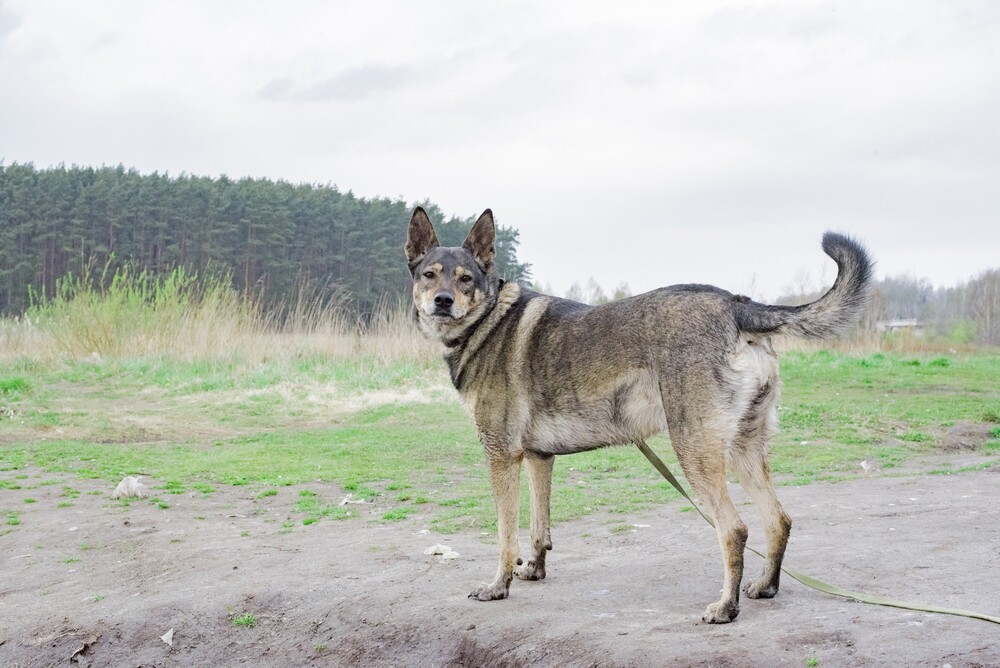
(588, 376)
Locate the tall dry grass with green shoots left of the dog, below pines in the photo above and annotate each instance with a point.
(183, 318)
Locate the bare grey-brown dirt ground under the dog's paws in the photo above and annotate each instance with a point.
(96, 584)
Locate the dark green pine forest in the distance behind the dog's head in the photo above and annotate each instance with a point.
(272, 239)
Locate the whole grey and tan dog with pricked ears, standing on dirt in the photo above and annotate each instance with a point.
(543, 376)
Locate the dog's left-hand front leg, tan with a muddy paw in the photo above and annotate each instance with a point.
(505, 479)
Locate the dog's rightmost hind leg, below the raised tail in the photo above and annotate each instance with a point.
(750, 460)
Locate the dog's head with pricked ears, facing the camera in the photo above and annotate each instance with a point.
(453, 287)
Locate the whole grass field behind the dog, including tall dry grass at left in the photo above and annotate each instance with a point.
(320, 409)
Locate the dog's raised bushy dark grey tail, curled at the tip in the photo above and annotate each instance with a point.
(830, 314)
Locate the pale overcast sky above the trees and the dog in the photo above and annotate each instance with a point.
(650, 143)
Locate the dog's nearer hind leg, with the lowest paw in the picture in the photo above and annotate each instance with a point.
(702, 459)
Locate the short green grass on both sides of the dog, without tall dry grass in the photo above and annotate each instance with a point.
(200, 425)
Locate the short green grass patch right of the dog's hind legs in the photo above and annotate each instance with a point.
(876, 407)
